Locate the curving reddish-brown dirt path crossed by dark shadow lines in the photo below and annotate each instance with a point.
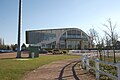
(60, 70)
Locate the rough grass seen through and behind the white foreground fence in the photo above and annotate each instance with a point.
(106, 68)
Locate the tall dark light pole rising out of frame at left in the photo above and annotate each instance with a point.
(19, 30)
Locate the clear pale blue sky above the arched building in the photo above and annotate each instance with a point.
(50, 14)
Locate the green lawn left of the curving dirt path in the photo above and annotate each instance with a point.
(12, 69)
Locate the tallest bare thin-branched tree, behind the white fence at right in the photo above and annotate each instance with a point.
(111, 34)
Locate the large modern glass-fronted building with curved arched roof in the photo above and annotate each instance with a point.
(65, 38)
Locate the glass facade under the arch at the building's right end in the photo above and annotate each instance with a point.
(72, 39)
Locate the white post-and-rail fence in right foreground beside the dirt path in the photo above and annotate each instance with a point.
(85, 64)
